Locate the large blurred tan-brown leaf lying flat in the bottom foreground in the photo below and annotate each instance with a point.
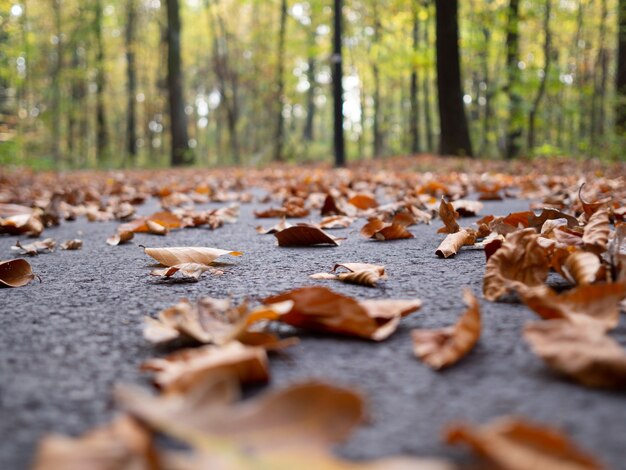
(308, 415)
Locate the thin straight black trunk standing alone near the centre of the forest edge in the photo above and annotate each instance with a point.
(337, 66)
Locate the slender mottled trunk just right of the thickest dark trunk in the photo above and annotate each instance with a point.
(514, 124)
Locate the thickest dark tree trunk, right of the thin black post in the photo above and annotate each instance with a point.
(454, 136)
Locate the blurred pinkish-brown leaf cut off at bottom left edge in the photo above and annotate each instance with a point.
(121, 445)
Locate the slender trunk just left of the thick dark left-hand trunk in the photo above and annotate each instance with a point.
(131, 83)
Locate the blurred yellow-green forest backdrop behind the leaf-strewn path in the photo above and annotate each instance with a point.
(123, 83)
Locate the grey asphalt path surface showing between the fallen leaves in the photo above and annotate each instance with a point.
(65, 341)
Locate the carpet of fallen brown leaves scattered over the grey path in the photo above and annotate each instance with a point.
(224, 345)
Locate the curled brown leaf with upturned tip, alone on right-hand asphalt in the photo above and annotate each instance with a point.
(446, 346)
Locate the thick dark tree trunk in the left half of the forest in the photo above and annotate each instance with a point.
(180, 151)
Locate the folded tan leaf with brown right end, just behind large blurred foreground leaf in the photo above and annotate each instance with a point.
(180, 371)
